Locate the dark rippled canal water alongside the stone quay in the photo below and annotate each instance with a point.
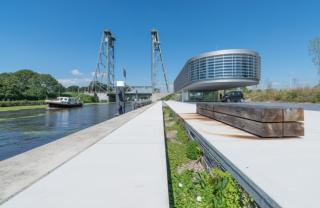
(23, 130)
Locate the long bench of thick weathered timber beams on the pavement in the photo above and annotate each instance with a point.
(259, 119)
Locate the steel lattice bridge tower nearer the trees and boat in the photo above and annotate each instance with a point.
(104, 79)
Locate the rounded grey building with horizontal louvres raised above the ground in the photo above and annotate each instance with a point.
(218, 70)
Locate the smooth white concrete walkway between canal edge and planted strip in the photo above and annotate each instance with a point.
(126, 168)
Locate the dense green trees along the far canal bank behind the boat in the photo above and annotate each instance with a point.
(26, 85)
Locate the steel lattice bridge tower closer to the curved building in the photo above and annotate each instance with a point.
(156, 59)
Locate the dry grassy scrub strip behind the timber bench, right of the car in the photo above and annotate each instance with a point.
(310, 95)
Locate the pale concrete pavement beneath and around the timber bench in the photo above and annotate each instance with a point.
(284, 172)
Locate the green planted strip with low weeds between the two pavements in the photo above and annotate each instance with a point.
(190, 184)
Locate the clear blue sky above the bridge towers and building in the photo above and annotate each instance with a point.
(60, 36)
